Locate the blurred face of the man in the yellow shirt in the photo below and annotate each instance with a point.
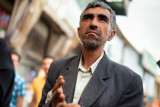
(46, 64)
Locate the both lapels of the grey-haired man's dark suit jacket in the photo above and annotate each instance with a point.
(96, 84)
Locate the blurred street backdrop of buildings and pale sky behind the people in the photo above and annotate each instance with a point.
(38, 28)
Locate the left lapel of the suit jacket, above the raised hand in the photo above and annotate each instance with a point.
(70, 76)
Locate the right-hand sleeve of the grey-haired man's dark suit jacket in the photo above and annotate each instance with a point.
(133, 96)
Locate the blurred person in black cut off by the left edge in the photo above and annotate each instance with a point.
(6, 74)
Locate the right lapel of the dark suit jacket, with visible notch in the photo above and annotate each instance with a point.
(96, 84)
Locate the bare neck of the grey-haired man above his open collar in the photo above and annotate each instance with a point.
(90, 56)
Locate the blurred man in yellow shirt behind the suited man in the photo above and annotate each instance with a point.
(39, 82)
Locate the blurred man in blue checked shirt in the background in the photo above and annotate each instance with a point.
(19, 83)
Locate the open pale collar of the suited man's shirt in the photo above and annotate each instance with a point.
(92, 67)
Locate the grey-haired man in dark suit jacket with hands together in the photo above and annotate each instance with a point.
(92, 79)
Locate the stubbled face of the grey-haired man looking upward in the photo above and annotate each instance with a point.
(95, 28)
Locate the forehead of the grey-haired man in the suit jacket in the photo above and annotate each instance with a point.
(97, 11)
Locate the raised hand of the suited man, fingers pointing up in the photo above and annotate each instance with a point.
(58, 97)
